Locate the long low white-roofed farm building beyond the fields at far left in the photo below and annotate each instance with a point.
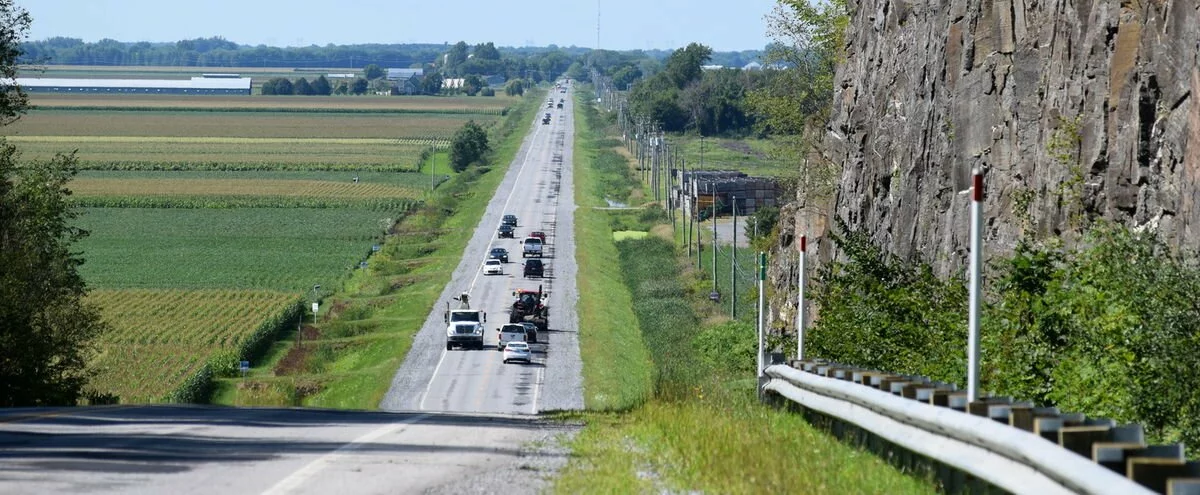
(196, 86)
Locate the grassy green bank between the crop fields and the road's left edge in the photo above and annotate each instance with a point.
(364, 332)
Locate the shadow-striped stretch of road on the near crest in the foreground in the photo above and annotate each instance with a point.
(184, 450)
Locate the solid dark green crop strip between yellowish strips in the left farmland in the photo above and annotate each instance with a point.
(247, 248)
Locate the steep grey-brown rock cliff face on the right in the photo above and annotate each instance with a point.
(1073, 110)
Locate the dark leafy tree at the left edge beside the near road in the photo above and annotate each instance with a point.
(46, 327)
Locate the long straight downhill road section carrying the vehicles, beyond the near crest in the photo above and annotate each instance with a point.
(539, 190)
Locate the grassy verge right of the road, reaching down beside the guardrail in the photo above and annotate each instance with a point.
(669, 386)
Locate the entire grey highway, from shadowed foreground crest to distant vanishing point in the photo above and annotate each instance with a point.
(454, 421)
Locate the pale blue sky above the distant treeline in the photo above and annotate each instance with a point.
(625, 25)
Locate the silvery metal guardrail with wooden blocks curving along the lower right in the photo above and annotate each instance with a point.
(1012, 446)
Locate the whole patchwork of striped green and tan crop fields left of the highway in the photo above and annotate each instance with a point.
(209, 217)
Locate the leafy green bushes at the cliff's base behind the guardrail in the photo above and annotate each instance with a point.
(1109, 329)
